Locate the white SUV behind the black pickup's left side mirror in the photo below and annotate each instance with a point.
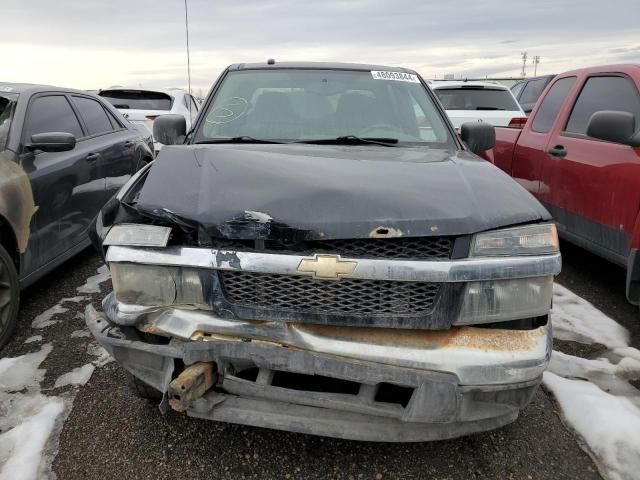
(143, 106)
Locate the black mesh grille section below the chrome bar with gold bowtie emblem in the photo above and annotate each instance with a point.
(343, 297)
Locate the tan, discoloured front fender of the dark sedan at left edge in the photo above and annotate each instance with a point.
(16, 200)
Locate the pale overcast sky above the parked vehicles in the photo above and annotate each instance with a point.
(94, 44)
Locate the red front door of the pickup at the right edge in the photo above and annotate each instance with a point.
(592, 187)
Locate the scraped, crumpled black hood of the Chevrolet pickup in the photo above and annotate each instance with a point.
(322, 192)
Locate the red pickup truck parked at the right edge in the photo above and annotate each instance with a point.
(579, 154)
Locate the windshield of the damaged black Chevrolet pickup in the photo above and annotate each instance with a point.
(306, 105)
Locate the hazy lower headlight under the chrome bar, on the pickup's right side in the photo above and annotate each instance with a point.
(500, 300)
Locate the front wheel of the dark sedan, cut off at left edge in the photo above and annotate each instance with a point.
(9, 297)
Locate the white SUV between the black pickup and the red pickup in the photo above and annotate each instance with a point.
(479, 101)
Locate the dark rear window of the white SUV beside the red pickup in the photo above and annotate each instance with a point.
(476, 98)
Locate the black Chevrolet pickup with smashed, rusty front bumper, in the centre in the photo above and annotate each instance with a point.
(322, 253)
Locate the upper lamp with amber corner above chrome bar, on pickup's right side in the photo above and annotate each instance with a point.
(537, 239)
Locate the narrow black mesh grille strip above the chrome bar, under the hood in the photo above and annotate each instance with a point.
(408, 247)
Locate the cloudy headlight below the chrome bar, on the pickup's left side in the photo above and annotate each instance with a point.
(154, 285)
